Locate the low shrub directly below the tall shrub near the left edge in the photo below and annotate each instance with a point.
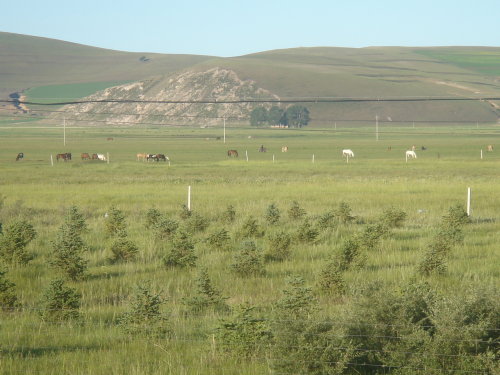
(60, 302)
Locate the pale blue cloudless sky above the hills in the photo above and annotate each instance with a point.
(232, 28)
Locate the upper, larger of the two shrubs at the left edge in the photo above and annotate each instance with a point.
(17, 235)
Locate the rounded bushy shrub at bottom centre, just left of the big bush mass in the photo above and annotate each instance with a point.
(244, 335)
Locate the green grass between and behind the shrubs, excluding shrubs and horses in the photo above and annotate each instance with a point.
(375, 179)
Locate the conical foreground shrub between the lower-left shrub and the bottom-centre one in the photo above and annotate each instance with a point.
(144, 317)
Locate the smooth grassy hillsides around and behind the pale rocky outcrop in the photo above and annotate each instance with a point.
(375, 72)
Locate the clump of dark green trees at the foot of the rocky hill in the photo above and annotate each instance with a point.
(295, 116)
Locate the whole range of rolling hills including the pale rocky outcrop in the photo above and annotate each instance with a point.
(326, 72)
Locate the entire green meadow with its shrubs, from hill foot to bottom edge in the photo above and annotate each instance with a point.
(348, 292)
